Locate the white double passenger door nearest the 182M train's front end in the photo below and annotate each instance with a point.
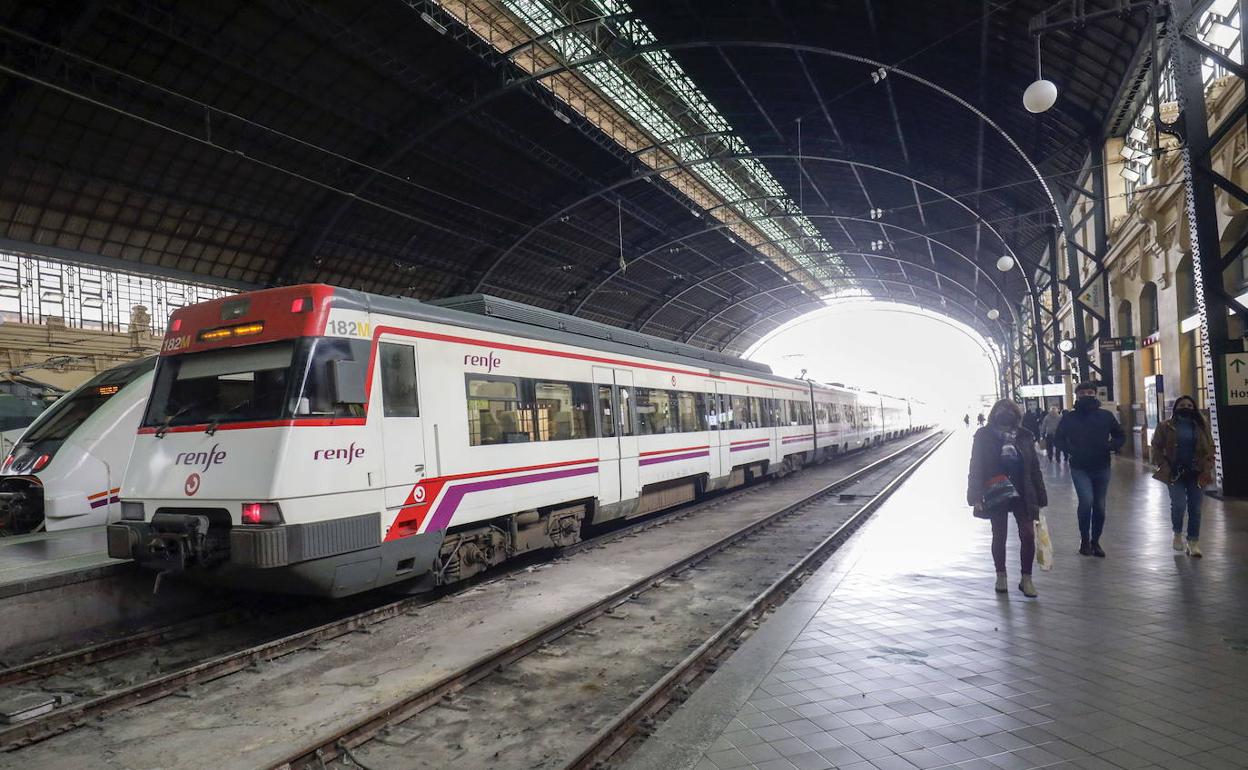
(617, 441)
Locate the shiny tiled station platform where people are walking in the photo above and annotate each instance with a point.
(898, 653)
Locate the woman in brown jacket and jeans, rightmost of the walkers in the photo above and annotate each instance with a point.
(1184, 452)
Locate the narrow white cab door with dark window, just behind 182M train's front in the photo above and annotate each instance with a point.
(402, 434)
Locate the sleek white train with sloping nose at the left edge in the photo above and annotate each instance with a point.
(67, 469)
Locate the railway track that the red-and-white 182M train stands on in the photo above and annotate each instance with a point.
(61, 677)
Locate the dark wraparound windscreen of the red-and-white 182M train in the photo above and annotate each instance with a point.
(259, 383)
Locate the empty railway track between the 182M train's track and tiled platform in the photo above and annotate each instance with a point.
(514, 707)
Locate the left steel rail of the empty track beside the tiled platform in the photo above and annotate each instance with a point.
(321, 751)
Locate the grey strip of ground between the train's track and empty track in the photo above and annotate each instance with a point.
(254, 718)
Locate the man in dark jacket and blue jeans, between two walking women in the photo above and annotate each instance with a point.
(1089, 435)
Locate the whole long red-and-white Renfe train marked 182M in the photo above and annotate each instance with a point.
(324, 441)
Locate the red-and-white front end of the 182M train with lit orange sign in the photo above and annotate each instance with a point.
(236, 474)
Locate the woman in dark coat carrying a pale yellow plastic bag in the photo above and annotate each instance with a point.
(1005, 481)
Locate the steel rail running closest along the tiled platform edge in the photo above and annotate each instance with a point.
(635, 718)
